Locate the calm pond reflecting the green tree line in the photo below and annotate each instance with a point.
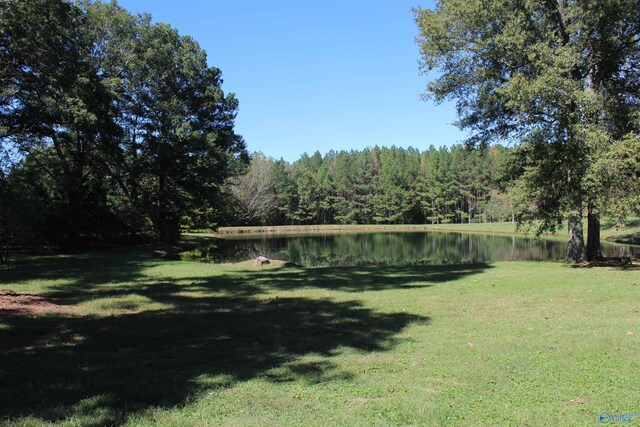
(389, 248)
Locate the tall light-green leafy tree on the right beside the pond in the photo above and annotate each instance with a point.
(558, 77)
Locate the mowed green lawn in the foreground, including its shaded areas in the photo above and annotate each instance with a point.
(142, 341)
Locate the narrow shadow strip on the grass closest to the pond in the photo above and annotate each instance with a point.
(254, 282)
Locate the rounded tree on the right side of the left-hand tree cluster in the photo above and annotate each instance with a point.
(176, 122)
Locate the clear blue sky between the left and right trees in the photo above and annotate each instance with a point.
(328, 74)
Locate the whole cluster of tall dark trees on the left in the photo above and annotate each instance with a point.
(112, 129)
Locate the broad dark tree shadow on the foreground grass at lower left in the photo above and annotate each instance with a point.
(54, 367)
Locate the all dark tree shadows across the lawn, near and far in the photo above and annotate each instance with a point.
(216, 332)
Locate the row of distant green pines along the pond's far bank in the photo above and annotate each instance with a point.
(379, 185)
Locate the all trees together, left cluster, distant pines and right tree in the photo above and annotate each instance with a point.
(115, 130)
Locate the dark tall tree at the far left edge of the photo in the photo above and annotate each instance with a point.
(55, 110)
